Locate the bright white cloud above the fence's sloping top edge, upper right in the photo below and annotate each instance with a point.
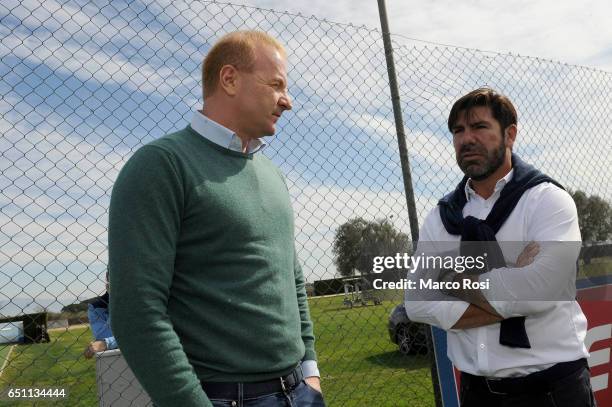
(572, 32)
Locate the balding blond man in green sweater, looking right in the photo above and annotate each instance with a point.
(209, 305)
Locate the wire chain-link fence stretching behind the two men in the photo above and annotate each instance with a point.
(84, 85)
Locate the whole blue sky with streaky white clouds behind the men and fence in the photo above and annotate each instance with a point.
(83, 87)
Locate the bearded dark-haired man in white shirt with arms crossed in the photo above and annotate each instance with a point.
(520, 342)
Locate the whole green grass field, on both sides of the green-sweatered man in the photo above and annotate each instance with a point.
(358, 363)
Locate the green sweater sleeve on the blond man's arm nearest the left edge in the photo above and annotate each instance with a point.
(144, 223)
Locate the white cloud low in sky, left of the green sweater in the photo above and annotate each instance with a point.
(54, 210)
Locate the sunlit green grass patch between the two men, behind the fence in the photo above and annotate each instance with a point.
(359, 365)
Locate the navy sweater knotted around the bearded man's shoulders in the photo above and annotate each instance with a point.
(512, 330)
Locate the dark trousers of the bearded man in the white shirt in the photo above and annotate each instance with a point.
(573, 390)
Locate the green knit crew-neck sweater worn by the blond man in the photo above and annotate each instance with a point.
(204, 278)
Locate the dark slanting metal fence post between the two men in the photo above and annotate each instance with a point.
(406, 175)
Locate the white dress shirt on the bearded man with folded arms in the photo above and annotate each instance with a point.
(556, 329)
